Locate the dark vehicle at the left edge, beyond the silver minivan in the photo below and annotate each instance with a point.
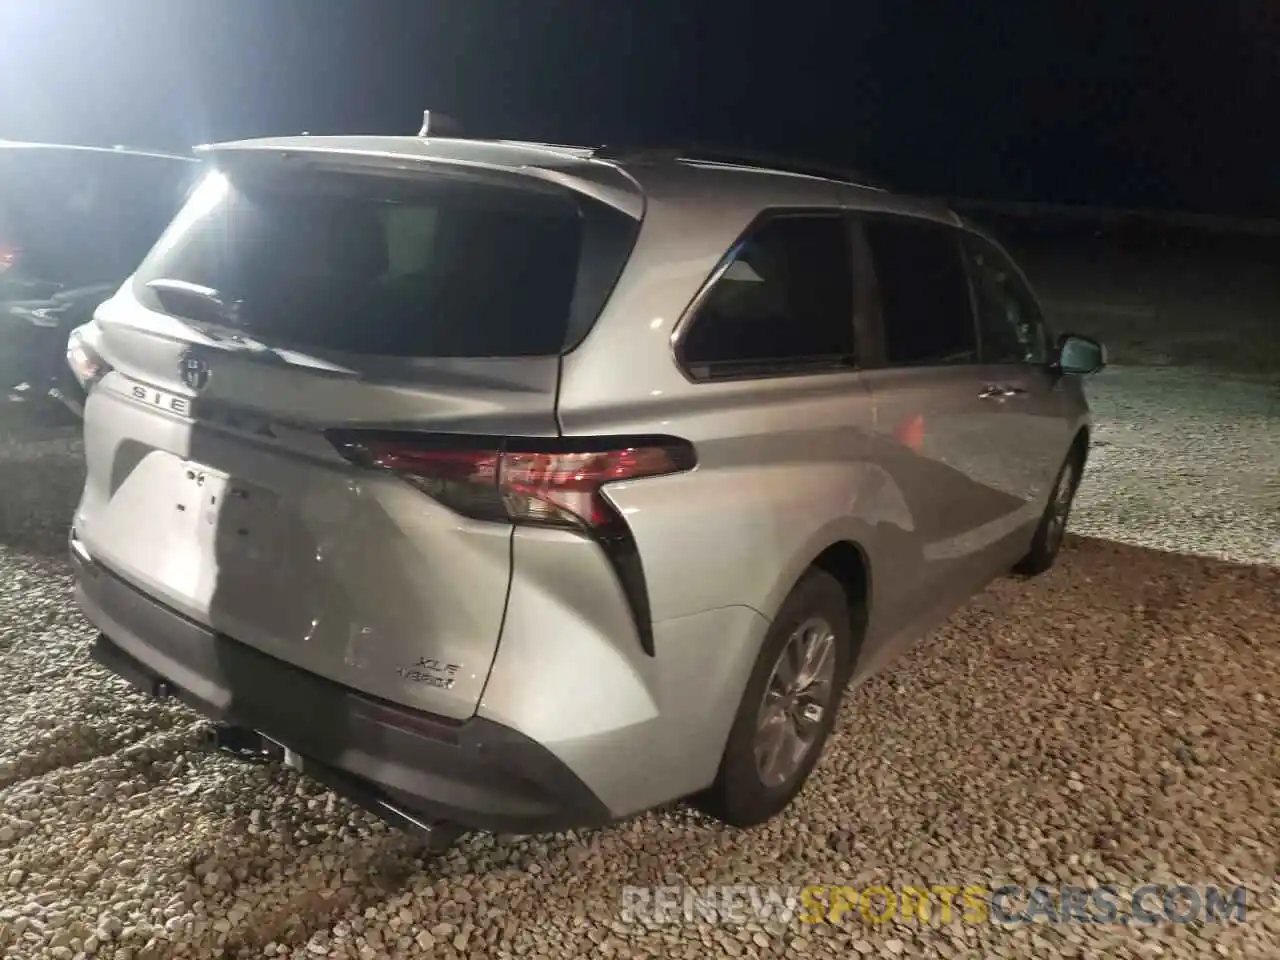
(74, 223)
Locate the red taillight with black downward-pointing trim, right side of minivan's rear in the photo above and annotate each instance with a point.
(554, 482)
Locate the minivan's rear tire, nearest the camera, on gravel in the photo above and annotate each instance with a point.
(743, 794)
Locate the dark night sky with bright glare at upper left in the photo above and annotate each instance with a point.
(1167, 106)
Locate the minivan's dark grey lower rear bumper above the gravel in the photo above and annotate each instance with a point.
(476, 774)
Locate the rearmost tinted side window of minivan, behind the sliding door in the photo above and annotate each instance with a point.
(787, 301)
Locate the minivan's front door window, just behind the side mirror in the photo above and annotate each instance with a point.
(1013, 330)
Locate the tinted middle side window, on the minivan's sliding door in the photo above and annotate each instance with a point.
(924, 292)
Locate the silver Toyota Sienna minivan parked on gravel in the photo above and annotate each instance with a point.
(518, 487)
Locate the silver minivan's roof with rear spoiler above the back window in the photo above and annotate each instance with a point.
(619, 177)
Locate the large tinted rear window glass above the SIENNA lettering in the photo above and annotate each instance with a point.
(380, 264)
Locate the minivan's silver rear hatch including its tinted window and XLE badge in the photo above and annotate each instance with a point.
(295, 301)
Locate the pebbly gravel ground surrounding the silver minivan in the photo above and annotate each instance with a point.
(1113, 723)
